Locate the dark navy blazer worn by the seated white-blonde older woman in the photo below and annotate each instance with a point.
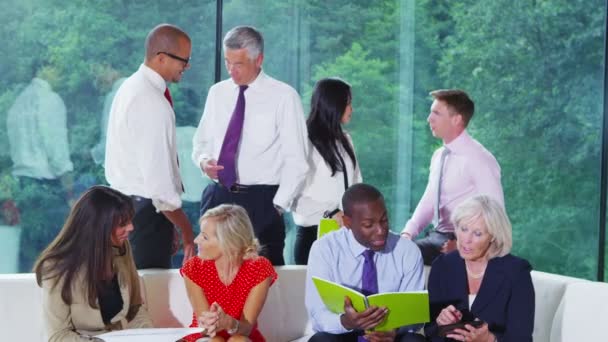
(505, 299)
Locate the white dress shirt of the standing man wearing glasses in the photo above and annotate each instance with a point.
(141, 155)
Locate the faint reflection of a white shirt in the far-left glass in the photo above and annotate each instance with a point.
(37, 133)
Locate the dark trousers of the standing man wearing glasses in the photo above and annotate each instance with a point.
(152, 236)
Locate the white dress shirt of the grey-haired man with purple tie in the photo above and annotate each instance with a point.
(273, 144)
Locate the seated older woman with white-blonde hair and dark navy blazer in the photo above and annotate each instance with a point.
(481, 281)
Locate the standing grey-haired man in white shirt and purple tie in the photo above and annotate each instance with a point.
(251, 141)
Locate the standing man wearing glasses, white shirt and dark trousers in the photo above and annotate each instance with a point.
(141, 152)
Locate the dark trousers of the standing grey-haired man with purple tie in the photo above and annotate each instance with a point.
(268, 225)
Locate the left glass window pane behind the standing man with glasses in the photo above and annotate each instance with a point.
(61, 63)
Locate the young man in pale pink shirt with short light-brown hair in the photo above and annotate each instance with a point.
(460, 169)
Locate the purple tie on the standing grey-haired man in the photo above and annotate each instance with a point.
(227, 158)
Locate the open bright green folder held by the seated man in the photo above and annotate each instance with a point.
(404, 308)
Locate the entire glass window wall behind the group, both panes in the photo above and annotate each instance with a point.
(534, 69)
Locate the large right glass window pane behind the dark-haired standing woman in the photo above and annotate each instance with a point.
(534, 70)
